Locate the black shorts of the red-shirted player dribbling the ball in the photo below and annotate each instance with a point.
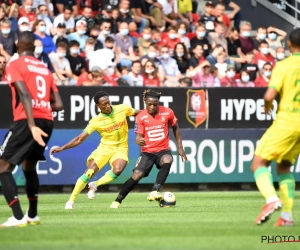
(146, 161)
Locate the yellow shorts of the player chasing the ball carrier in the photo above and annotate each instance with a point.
(104, 154)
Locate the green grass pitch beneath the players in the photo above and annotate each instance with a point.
(200, 220)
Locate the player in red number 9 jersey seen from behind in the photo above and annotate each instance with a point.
(34, 97)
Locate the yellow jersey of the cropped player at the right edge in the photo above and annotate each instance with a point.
(286, 80)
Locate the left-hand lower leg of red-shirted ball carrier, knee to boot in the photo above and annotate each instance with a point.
(127, 187)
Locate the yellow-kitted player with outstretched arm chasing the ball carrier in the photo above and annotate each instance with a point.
(111, 124)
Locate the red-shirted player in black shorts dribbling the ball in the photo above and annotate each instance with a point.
(152, 134)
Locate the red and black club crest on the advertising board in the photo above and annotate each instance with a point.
(196, 110)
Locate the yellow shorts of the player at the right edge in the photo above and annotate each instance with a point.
(279, 144)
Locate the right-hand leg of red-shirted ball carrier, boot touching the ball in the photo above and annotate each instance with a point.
(163, 162)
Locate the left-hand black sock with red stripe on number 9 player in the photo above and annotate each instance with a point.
(10, 192)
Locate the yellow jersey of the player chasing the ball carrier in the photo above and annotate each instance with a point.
(113, 128)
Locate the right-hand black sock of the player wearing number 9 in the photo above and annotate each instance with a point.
(32, 189)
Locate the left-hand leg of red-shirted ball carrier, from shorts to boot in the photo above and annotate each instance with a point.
(142, 169)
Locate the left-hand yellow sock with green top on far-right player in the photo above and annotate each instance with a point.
(264, 182)
